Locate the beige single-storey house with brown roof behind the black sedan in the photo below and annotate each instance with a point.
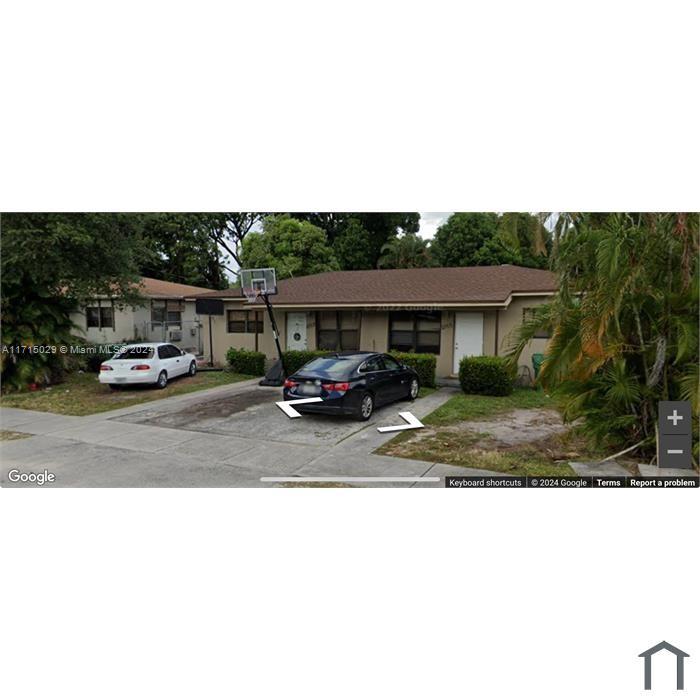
(451, 312)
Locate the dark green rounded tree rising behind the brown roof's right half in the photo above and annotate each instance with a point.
(458, 241)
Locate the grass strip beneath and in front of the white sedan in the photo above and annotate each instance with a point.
(82, 394)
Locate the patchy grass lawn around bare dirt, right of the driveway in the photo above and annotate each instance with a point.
(447, 442)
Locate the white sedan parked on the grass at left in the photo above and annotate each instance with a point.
(147, 363)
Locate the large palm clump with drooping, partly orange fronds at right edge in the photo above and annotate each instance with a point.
(623, 324)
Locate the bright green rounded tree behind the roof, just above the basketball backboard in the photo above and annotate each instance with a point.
(294, 248)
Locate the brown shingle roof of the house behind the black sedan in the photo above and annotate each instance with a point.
(450, 285)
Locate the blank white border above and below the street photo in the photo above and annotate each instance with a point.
(365, 106)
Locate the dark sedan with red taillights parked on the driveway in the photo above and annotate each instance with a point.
(351, 383)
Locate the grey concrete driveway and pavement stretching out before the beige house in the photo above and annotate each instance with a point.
(233, 435)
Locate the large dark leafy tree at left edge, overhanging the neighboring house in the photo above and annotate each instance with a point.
(50, 263)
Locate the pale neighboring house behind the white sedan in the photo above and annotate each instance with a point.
(167, 314)
